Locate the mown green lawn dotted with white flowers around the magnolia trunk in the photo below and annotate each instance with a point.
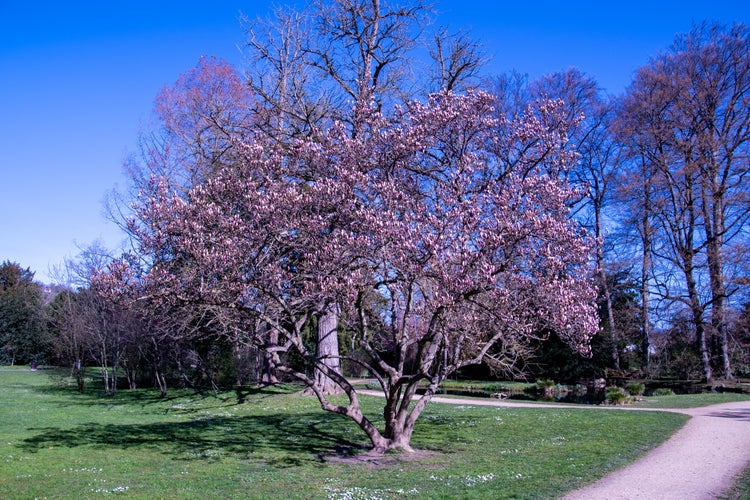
(274, 443)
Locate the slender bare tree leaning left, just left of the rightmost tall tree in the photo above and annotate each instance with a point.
(662, 136)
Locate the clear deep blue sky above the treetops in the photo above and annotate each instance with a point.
(78, 80)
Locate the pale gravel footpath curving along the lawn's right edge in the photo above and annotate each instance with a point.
(700, 461)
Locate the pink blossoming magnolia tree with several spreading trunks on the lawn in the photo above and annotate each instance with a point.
(443, 243)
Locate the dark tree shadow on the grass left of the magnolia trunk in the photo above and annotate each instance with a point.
(283, 440)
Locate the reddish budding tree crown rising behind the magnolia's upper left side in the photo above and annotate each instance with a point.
(196, 119)
